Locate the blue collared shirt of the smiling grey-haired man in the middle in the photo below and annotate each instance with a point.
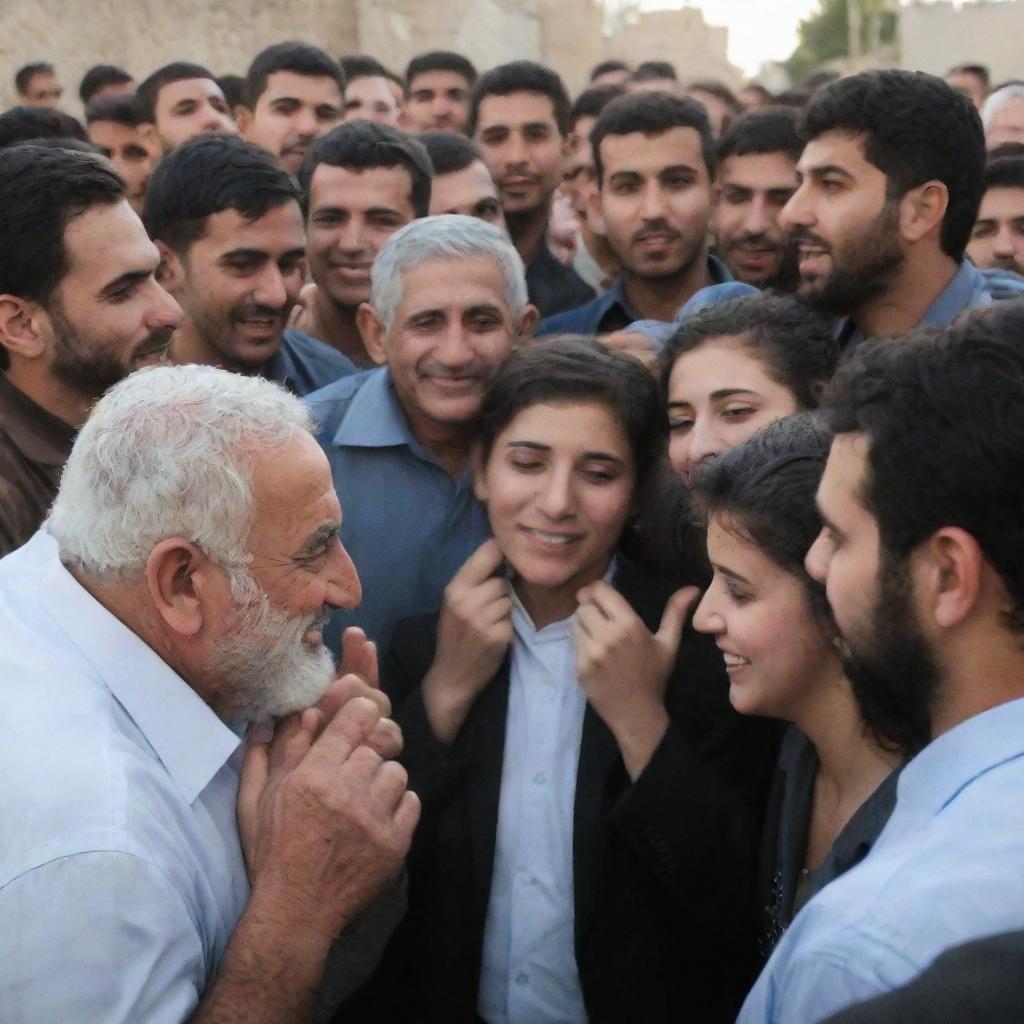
(407, 525)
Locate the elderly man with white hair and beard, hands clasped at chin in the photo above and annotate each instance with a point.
(176, 593)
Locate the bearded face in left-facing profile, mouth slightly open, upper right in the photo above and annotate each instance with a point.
(845, 229)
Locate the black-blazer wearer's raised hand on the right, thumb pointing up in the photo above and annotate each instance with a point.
(624, 668)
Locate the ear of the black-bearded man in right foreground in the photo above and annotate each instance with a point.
(951, 571)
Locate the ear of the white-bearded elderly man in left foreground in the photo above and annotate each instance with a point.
(180, 577)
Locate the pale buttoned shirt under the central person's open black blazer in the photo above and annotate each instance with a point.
(529, 973)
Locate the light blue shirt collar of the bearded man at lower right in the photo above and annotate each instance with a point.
(957, 758)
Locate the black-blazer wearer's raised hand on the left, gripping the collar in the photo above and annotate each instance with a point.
(474, 634)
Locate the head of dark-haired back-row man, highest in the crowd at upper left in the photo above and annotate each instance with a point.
(294, 94)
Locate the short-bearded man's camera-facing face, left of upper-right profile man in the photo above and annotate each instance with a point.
(656, 201)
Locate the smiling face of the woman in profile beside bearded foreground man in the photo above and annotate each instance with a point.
(776, 649)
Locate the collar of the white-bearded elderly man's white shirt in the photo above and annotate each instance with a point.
(191, 742)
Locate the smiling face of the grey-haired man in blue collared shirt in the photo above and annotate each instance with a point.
(452, 330)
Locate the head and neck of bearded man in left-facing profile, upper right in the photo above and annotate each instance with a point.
(890, 183)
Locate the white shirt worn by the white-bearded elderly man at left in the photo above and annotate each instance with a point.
(121, 874)
